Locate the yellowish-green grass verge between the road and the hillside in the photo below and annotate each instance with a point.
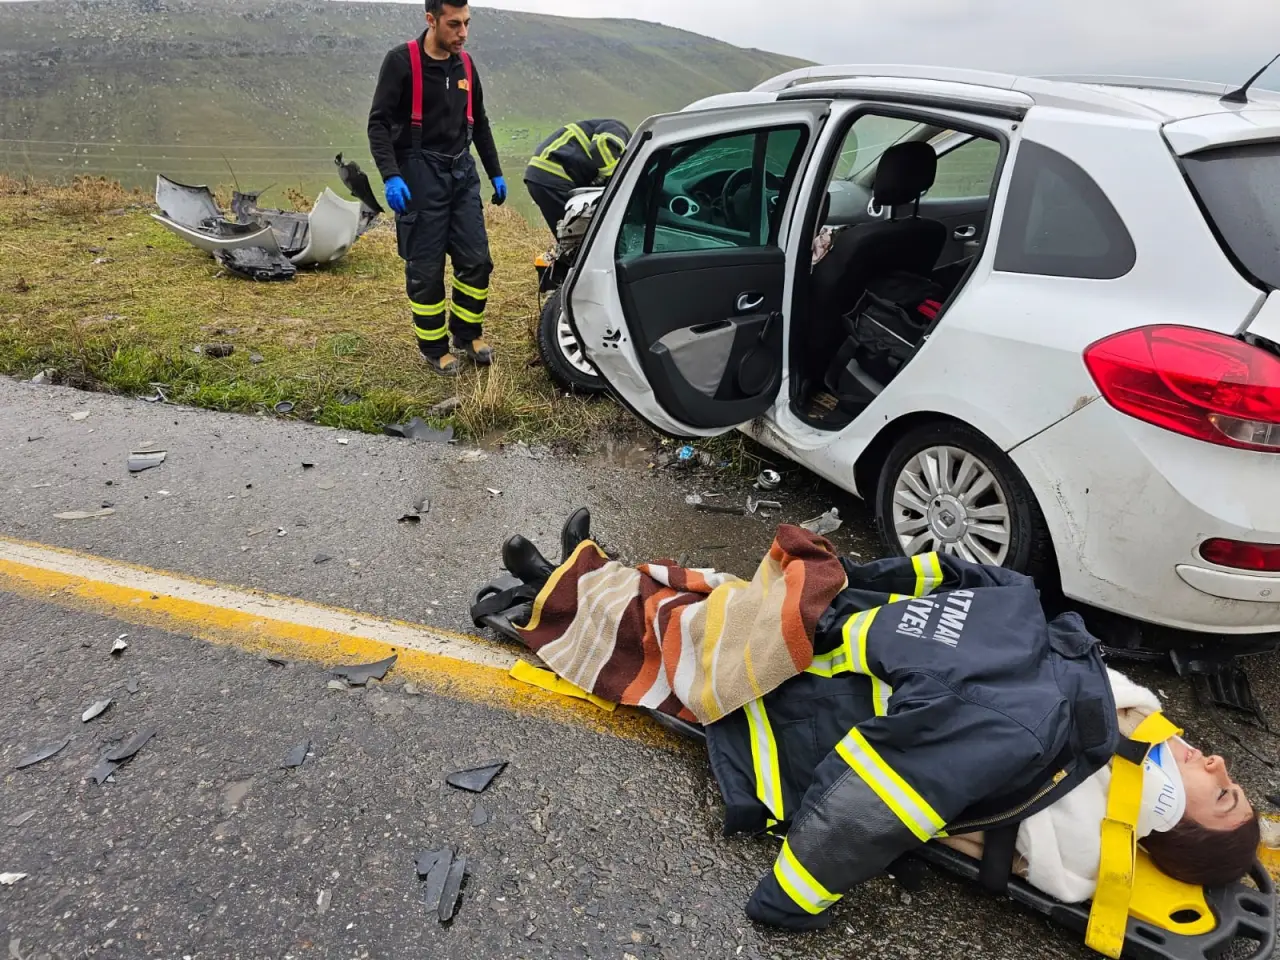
(95, 290)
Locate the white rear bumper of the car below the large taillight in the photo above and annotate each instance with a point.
(1130, 505)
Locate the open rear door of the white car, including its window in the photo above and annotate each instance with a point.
(679, 300)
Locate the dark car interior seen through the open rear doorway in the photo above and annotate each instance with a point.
(894, 245)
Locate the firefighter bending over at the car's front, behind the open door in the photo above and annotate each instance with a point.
(583, 154)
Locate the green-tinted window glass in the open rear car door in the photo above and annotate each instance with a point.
(711, 194)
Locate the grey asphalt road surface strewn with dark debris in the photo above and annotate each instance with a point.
(204, 847)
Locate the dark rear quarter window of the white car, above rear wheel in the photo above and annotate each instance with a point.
(1059, 223)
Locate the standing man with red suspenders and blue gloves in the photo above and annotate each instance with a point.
(428, 109)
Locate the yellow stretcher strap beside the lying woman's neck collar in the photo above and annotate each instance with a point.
(1109, 917)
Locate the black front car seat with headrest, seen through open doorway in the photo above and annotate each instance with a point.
(870, 252)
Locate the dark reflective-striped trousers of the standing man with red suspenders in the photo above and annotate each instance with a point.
(446, 218)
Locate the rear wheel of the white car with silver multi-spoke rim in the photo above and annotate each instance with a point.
(984, 501)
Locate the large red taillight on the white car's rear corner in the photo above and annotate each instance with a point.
(1192, 382)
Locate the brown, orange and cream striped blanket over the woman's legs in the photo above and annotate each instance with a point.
(692, 643)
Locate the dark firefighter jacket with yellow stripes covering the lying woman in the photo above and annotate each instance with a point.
(939, 702)
